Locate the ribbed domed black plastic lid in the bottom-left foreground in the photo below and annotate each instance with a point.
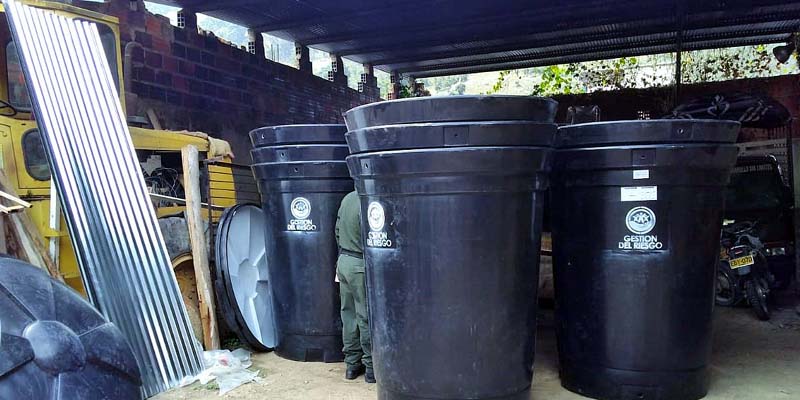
(55, 345)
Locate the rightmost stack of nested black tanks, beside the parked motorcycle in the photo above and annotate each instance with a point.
(636, 214)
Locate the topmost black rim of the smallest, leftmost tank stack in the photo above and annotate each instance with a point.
(298, 134)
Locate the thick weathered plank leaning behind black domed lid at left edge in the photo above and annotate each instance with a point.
(30, 239)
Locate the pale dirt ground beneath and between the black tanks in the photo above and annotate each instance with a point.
(751, 360)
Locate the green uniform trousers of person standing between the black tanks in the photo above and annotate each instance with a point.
(355, 314)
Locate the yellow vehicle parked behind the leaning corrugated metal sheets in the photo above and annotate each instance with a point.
(23, 159)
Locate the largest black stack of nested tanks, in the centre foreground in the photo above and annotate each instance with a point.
(451, 192)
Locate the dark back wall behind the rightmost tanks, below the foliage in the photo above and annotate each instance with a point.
(625, 104)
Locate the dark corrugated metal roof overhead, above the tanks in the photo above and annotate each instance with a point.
(441, 37)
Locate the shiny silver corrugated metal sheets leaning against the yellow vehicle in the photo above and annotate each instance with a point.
(112, 224)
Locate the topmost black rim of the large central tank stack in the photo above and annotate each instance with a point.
(452, 109)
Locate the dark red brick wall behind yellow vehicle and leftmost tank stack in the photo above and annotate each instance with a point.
(197, 82)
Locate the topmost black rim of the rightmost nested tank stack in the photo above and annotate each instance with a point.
(663, 131)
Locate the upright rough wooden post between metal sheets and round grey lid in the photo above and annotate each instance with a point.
(202, 272)
